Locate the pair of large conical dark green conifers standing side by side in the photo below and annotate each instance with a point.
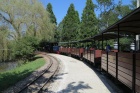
(71, 27)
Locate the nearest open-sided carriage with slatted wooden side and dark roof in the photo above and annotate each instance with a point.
(124, 66)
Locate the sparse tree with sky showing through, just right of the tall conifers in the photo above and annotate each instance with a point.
(107, 14)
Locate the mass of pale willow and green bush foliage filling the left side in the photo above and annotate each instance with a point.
(27, 23)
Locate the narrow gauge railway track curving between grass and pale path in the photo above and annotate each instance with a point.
(38, 84)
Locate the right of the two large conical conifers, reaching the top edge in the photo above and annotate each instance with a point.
(89, 21)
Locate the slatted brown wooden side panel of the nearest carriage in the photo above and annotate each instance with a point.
(125, 67)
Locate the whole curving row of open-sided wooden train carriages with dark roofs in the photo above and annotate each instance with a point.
(123, 66)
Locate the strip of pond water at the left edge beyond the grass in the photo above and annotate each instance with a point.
(5, 66)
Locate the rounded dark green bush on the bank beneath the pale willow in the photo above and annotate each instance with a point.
(25, 47)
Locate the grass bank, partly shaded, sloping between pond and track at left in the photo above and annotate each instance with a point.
(11, 77)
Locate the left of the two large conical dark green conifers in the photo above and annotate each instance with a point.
(70, 24)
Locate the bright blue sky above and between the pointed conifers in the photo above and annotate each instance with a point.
(60, 7)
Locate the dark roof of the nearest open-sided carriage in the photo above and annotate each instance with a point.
(129, 24)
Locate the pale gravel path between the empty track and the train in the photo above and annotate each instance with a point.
(76, 77)
